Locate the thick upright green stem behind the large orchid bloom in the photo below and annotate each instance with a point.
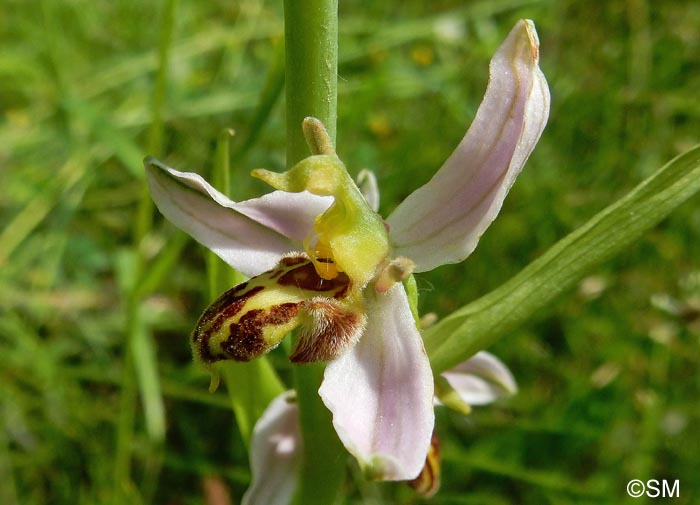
(311, 42)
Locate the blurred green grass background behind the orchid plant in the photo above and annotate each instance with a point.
(608, 376)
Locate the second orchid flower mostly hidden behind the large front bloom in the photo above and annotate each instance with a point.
(275, 456)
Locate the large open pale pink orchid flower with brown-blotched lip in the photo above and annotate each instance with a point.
(323, 262)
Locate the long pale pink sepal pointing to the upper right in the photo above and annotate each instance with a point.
(442, 221)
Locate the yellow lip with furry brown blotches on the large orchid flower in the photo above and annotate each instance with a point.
(236, 327)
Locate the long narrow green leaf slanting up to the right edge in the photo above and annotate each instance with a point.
(482, 322)
